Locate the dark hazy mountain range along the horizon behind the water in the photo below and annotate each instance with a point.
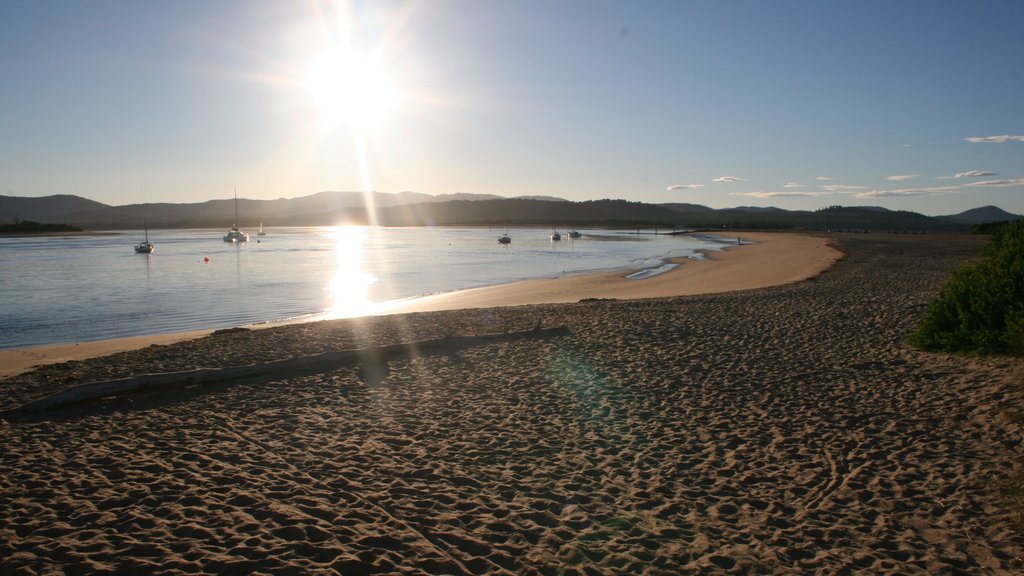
(409, 209)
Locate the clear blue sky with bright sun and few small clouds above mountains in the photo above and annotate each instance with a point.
(800, 105)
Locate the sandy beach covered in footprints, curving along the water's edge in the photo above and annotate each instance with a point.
(767, 429)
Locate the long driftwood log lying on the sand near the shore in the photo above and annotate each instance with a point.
(375, 357)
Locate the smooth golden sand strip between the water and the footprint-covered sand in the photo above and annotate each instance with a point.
(773, 260)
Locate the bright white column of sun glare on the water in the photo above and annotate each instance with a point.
(350, 289)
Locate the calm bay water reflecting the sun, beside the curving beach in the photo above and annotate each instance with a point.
(68, 290)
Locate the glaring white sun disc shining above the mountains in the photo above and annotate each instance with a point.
(351, 90)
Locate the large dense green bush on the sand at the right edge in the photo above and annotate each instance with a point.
(980, 310)
